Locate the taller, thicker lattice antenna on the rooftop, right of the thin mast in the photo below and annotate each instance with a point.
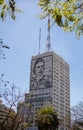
(48, 45)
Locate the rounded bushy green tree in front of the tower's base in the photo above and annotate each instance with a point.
(47, 119)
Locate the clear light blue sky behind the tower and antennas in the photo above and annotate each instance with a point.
(22, 35)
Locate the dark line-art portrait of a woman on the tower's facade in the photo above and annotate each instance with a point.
(39, 78)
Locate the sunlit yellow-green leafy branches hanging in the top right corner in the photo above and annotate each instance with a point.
(67, 14)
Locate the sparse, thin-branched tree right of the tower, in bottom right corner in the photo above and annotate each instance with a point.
(77, 116)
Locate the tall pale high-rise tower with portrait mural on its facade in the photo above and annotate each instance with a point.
(50, 86)
